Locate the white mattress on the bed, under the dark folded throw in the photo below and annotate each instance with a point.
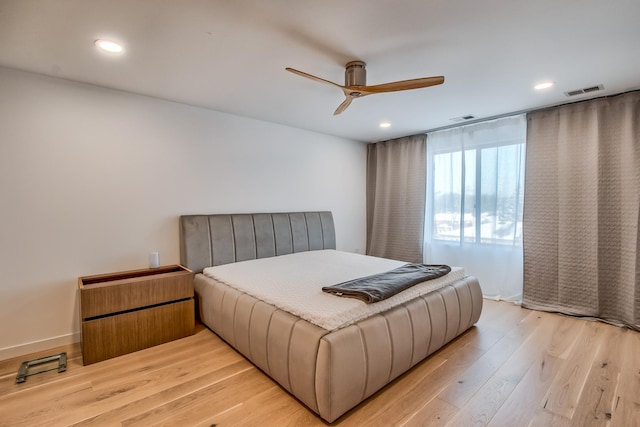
(294, 283)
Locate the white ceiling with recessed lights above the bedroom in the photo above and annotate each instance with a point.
(230, 56)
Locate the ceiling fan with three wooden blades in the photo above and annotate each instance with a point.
(355, 83)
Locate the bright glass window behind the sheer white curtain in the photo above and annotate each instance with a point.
(477, 193)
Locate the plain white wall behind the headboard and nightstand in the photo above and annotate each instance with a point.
(92, 180)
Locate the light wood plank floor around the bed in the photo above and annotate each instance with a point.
(515, 368)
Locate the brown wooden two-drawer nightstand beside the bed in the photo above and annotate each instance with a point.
(127, 311)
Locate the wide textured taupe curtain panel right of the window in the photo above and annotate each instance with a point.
(581, 210)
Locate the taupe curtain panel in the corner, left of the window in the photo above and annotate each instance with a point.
(396, 192)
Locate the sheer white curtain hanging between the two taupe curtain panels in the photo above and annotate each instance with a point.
(474, 202)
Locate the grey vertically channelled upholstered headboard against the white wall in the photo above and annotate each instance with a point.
(208, 240)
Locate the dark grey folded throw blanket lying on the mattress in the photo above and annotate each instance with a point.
(381, 286)
